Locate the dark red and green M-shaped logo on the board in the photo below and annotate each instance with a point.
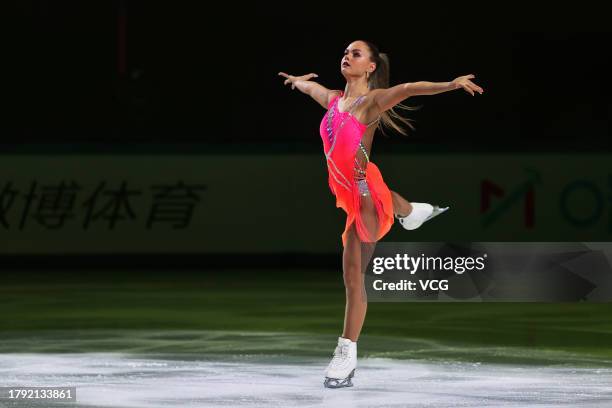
(496, 200)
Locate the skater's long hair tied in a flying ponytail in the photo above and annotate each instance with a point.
(380, 79)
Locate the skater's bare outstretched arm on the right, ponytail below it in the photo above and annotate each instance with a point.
(389, 97)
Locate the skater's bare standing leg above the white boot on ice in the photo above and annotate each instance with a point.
(355, 258)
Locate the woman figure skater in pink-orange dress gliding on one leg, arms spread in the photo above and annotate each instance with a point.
(347, 131)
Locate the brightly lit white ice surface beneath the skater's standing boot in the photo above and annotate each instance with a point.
(163, 379)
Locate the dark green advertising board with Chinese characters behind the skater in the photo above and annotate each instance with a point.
(271, 203)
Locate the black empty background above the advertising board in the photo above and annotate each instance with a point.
(140, 71)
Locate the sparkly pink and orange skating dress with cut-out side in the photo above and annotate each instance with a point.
(349, 181)
